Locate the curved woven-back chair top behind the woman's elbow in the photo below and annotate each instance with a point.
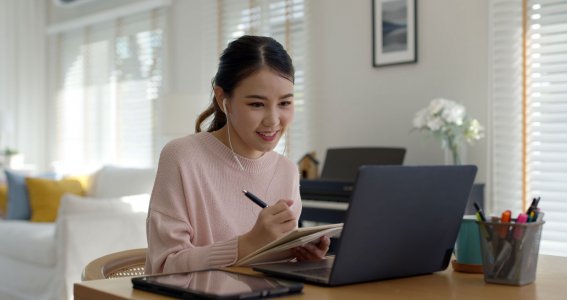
(119, 264)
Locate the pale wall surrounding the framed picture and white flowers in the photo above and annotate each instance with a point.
(358, 105)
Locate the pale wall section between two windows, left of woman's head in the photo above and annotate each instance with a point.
(192, 58)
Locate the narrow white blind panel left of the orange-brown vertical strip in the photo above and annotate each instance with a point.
(506, 107)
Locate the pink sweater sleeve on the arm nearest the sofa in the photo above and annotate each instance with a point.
(169, 230)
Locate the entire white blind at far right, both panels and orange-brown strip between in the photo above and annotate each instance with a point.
(534, 120)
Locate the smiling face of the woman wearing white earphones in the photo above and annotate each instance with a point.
(260, 110)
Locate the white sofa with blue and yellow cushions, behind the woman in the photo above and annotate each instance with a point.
(43, 260)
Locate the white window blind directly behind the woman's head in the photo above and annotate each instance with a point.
(285, 21)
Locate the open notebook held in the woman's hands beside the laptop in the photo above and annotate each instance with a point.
(280, 249)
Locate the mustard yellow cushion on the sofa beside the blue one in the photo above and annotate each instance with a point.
(45, 196)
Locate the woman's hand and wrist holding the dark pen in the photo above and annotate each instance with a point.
(273, 222)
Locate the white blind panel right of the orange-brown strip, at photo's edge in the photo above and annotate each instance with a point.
(547, 116)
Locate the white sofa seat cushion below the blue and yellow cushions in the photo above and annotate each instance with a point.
(29, 242)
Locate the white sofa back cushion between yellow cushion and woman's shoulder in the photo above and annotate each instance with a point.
(112, 181)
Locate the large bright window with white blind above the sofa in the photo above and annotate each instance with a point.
(109, 79)
